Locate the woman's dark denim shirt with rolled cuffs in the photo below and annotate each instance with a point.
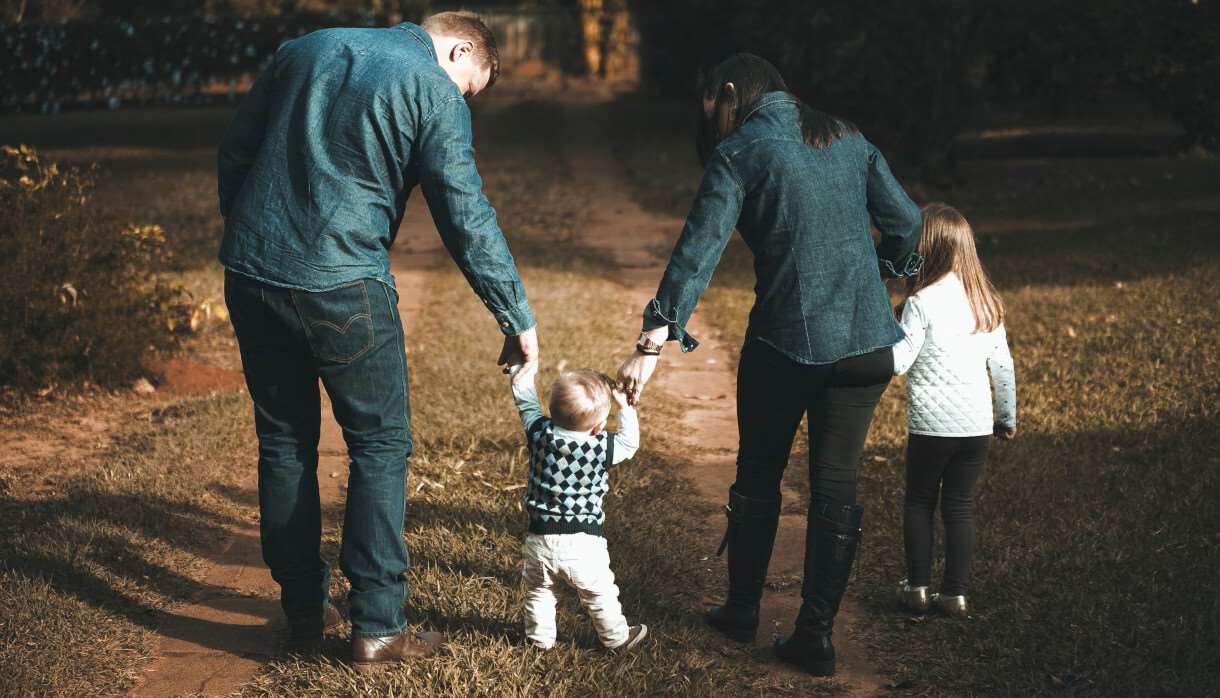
(805, 213)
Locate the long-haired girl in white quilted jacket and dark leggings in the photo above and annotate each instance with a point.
(955, 326)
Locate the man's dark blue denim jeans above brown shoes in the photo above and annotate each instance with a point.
(352, 339)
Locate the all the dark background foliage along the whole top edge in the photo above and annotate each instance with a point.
(914, 75)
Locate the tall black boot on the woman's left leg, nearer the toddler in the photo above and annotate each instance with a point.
(750, 539)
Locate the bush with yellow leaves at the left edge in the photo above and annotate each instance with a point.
(80, 301)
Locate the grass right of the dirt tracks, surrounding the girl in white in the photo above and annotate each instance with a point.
(1099, 535)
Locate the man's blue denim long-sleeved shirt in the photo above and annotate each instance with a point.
(318, 165)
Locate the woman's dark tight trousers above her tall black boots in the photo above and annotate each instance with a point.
(775, 392)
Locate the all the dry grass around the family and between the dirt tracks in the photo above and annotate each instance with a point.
(1099, 549)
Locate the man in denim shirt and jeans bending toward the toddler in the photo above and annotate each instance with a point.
(314, 176)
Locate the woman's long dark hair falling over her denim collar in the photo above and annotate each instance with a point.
(753, 77)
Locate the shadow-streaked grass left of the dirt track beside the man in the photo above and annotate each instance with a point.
(92, 553)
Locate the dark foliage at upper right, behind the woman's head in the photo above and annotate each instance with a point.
(916, 75)
